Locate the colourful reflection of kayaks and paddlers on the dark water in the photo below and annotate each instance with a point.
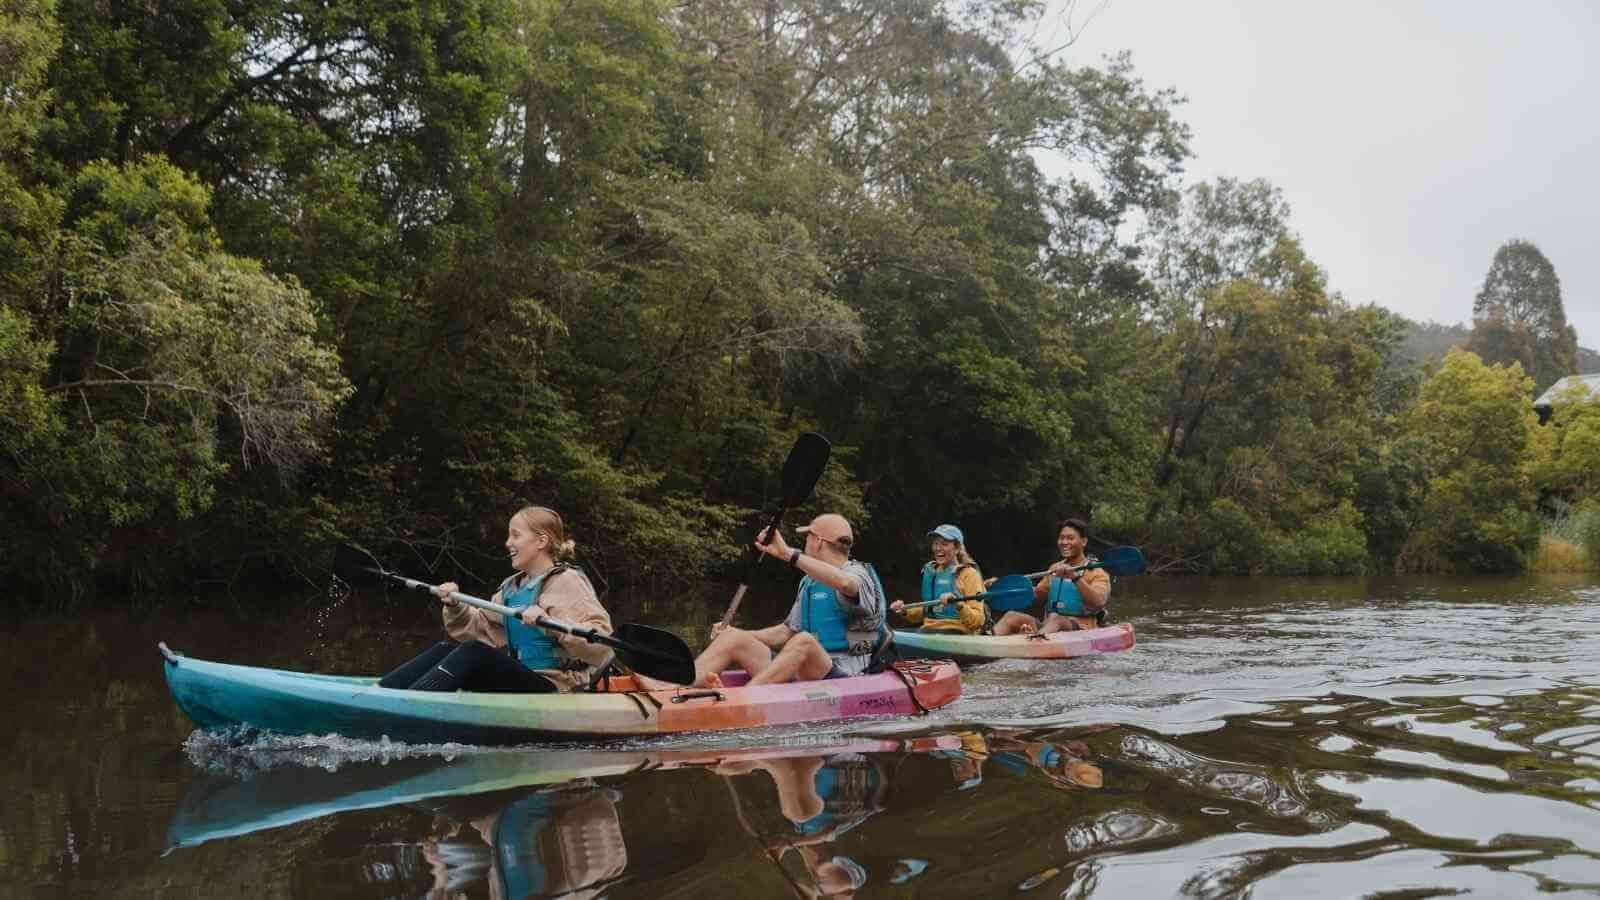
(833, 818)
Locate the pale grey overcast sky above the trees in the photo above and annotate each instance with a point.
(1410, 139)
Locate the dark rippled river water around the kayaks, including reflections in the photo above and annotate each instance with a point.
(1270, 737)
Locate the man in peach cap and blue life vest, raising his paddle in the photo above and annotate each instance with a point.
(834, 630)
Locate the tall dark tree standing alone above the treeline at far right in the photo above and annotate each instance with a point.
(1519, 316)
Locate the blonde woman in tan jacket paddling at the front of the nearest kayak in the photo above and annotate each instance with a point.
(492, 654)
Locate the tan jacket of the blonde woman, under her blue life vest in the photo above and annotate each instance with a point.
(567, 597)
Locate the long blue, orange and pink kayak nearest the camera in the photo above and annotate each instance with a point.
(218, 696)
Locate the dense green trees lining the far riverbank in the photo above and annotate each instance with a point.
(278, 275)
